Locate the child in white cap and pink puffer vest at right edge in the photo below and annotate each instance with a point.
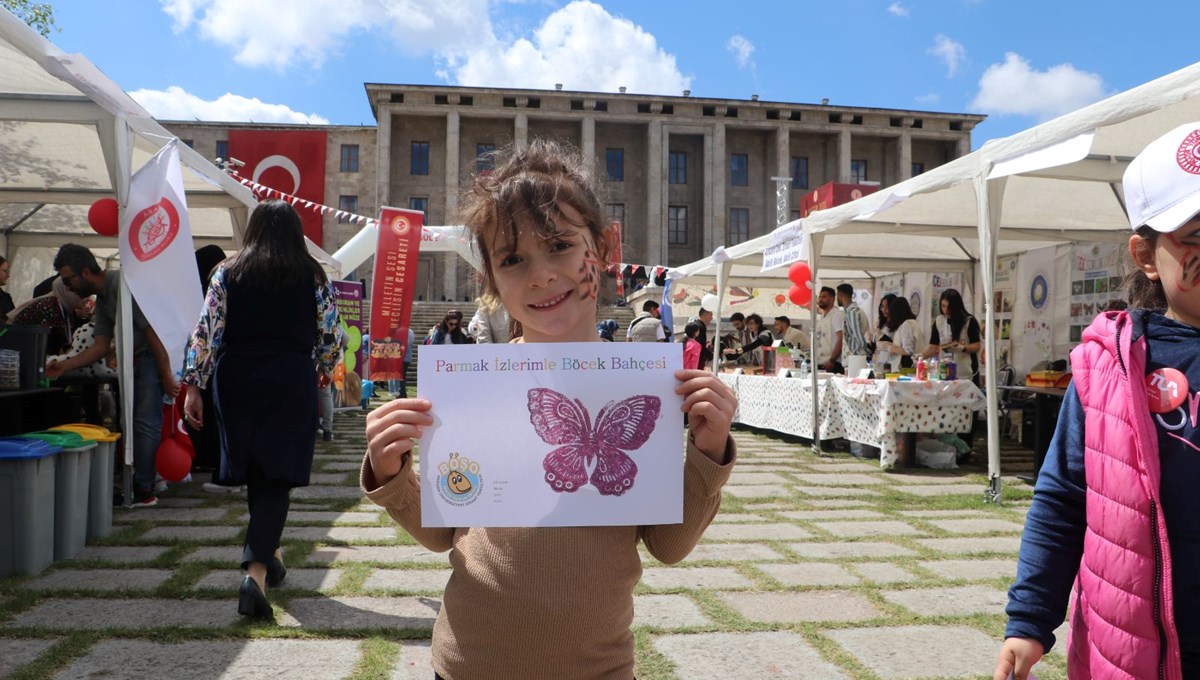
(1115, 509)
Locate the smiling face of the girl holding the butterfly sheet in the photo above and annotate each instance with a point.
(550, 286)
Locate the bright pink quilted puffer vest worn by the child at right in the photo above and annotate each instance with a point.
(1123, 625)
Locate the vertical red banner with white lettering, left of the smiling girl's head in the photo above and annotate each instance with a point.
(392, 291)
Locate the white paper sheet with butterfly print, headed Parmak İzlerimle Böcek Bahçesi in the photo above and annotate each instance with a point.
(555, 435)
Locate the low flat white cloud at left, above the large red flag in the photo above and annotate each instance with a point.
(176, 104)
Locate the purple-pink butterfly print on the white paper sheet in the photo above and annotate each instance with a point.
(592, 454)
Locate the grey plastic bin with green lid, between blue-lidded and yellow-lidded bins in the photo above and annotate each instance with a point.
(71, 480)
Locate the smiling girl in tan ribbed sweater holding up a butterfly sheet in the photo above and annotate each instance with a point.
(544, 603)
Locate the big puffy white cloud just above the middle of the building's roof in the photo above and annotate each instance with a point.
(581, 46)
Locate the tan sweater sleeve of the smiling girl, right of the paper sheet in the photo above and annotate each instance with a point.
(703, 482)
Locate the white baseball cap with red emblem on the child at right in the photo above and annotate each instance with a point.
(1162, 185)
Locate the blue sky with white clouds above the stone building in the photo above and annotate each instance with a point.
(1018, 62)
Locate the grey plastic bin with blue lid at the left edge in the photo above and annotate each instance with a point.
(27, 506)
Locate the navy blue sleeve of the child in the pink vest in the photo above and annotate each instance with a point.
(1053, 543)
